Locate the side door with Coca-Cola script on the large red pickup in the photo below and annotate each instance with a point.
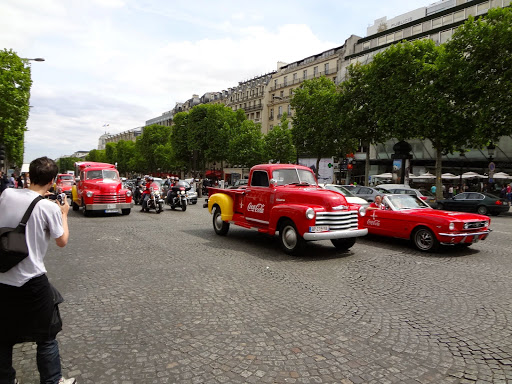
(257, 199)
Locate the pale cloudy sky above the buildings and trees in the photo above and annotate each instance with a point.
(122, 62)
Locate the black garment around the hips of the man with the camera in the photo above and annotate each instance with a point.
(30, 312)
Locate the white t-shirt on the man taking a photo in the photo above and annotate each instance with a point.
(44, 222)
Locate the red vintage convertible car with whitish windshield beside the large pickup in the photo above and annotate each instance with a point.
(408, 217)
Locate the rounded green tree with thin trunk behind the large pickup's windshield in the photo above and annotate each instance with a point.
(316, 121)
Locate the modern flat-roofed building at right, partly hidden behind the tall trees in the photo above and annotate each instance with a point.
(438, 23)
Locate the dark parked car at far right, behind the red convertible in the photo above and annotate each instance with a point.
(482, 203)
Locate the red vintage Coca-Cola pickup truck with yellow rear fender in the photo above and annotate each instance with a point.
(286, 199)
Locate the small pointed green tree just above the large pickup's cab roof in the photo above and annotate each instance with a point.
(278, 143)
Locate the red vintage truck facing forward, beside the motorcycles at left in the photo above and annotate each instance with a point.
(99, 188)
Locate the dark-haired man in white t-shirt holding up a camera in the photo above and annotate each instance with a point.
(28, 301)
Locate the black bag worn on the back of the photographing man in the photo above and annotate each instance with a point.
(13, 245)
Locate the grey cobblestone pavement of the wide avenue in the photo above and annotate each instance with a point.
(162, 299)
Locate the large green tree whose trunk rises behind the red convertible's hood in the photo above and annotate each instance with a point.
(412, 95)
